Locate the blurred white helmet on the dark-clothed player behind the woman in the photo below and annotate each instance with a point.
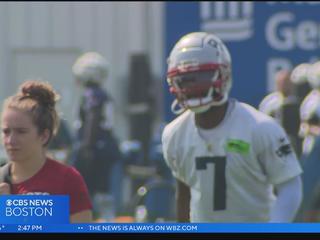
(90, 67)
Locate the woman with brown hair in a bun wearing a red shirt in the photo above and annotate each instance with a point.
(29, 120)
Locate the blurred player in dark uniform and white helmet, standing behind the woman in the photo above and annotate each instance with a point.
(97, 149)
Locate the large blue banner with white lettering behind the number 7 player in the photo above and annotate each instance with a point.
(263, 37)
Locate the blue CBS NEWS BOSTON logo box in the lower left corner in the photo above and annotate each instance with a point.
(33, 209)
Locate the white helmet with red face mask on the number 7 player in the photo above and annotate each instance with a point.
(199, 72)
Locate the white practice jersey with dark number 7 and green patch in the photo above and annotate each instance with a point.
(231, 176)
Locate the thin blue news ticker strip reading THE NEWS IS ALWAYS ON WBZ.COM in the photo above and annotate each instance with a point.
(162, 228)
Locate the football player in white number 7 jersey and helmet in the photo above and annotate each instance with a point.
(228, 158)
